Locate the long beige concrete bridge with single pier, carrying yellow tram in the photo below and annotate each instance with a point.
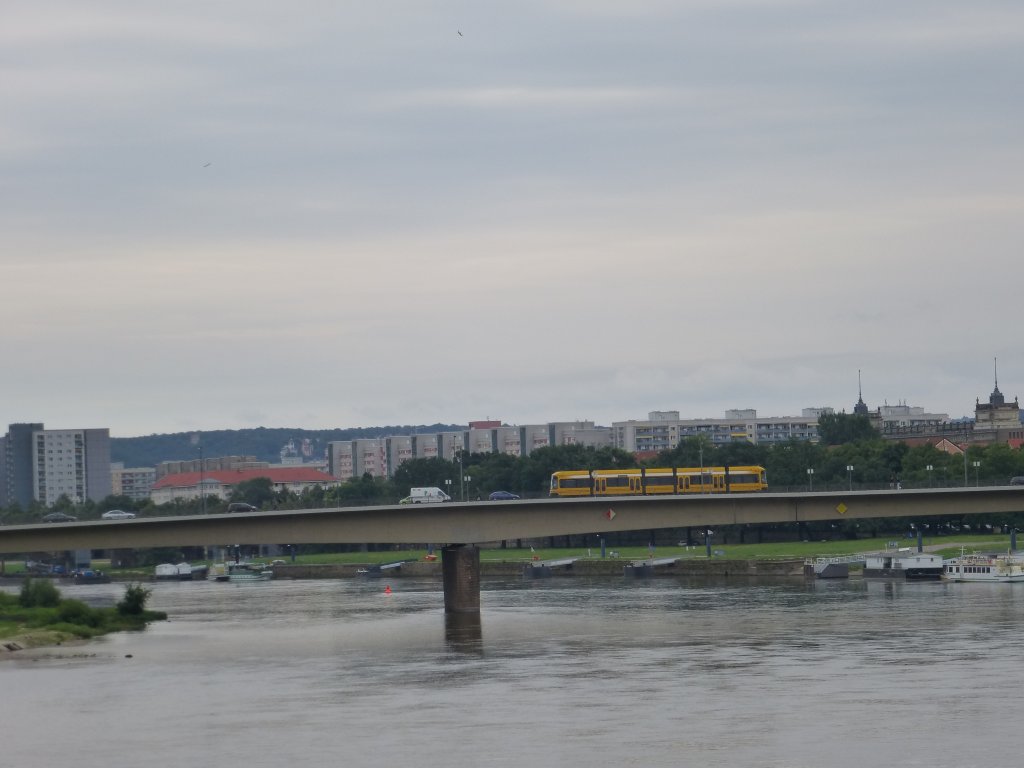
(459, 527)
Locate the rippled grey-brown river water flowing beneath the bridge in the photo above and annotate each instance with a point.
(563, 672)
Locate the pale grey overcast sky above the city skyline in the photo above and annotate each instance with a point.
(314, 214)
